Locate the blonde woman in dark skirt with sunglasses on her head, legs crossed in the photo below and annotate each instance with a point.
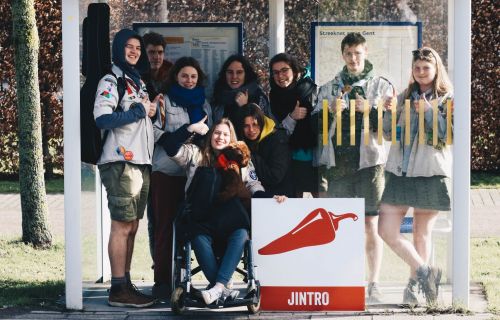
(418, 175)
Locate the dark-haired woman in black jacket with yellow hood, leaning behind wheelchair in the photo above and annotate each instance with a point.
(271, 153)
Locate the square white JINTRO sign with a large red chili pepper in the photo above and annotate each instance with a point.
(309, 253)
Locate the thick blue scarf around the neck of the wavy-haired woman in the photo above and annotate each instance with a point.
(191, 99)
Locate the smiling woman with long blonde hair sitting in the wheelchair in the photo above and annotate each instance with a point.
(224, 224)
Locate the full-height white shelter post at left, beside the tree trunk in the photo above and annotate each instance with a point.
(72, 164)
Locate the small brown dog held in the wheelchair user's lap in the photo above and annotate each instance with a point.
(229, 162)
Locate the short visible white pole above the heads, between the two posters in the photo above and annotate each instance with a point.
(276, 27)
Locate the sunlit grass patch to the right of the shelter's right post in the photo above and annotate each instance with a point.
(485, 258)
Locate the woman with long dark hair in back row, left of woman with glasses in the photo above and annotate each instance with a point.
(237, 85)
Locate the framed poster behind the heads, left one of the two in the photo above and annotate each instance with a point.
(209, 43)
